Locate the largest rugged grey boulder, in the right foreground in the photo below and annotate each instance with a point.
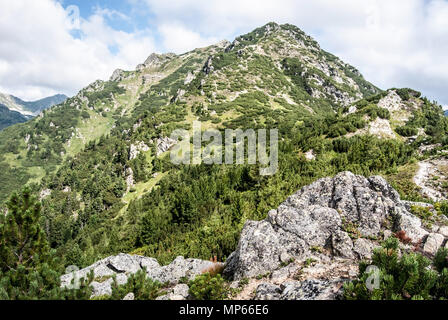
(325, 214)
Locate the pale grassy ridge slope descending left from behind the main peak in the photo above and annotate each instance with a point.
(37, 148)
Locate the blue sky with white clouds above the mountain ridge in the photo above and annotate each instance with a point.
(60, 46)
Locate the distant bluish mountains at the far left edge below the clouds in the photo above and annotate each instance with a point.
(15, 110)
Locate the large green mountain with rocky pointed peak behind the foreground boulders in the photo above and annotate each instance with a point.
(106, 186)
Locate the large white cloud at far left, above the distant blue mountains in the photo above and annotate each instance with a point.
(39, 55)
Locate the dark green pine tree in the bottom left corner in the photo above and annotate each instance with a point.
(28, 268)
